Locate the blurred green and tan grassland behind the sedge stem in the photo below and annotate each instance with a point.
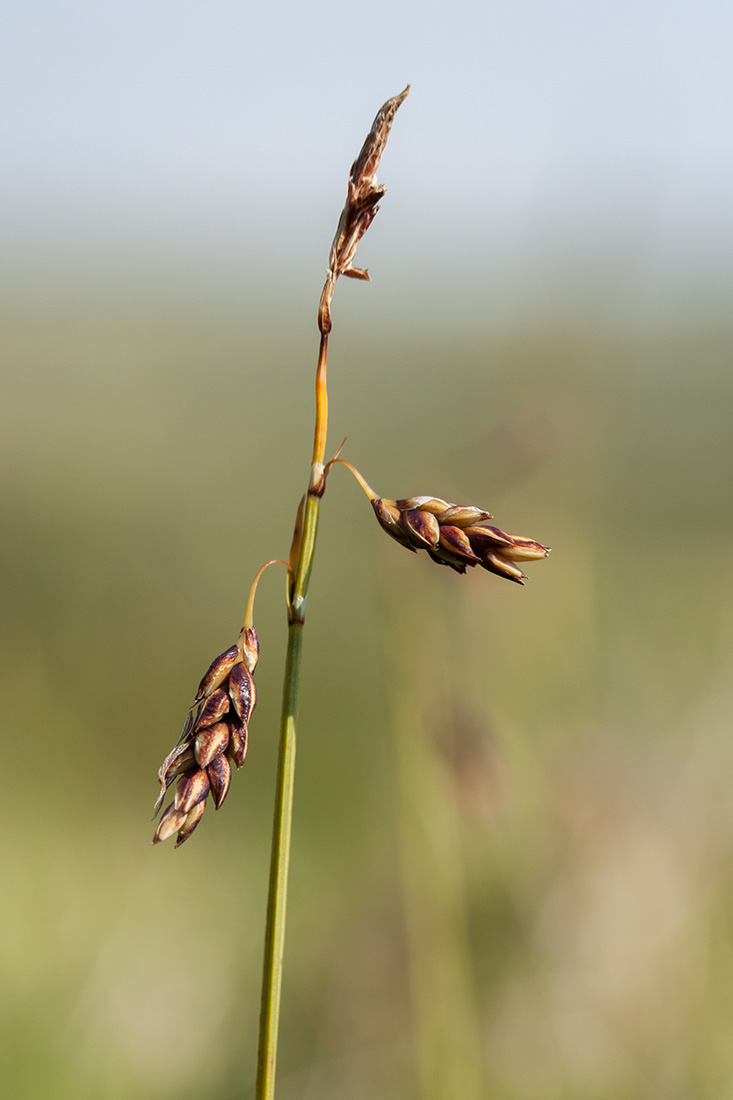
(581, 728)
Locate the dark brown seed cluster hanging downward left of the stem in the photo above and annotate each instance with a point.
(215, 734)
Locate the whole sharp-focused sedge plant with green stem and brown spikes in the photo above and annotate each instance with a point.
(216, 732)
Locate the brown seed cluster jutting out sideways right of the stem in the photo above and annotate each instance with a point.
(456, 535)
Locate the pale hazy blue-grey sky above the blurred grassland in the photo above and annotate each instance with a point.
(537, 135)
